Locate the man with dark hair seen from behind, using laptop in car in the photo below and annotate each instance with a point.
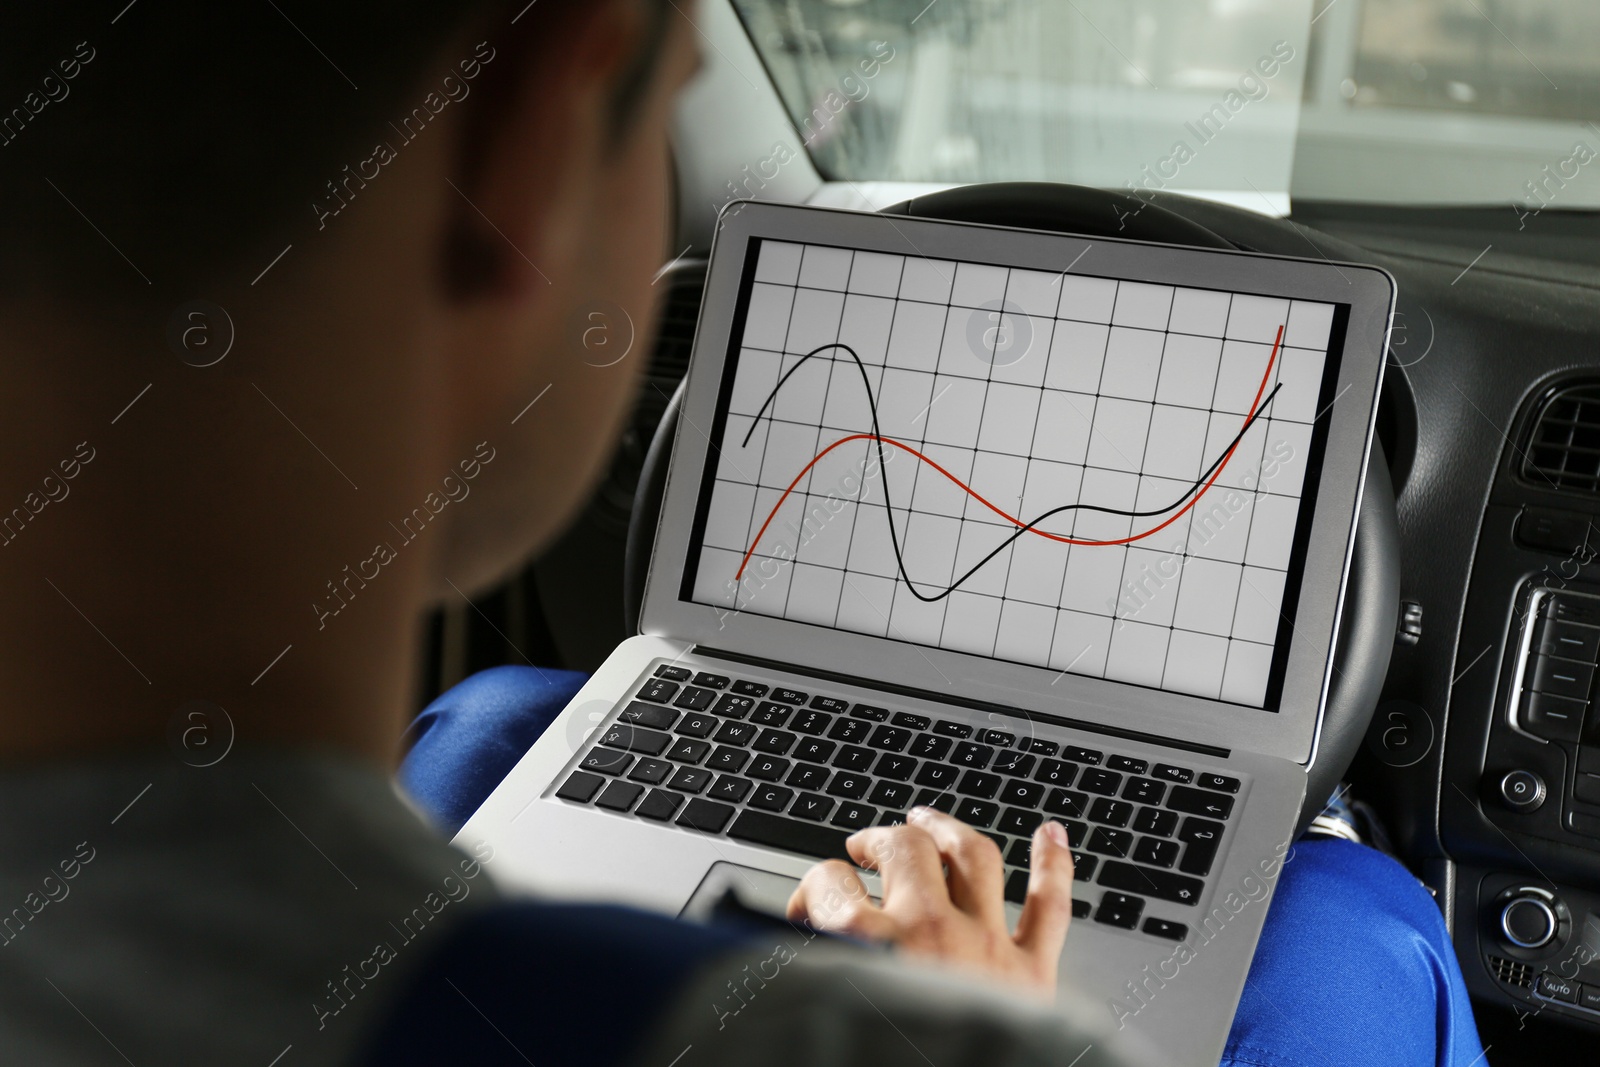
(287, 292)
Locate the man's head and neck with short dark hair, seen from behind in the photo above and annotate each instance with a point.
(401, 218)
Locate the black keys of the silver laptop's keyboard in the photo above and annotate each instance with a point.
(801, 772)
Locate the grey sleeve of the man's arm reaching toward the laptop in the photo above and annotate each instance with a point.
(822, 1004)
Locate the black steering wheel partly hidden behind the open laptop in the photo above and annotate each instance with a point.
(1372, 597)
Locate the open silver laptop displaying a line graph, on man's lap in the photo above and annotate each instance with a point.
(1012, 524)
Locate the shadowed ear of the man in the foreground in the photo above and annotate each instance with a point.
(540, 126)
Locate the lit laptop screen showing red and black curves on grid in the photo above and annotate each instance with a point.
(1066, 471)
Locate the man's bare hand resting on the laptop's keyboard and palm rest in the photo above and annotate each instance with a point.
(956, 917)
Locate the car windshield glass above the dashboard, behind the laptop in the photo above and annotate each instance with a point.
(1249, 102)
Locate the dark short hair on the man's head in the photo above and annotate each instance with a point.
(162, 145)
